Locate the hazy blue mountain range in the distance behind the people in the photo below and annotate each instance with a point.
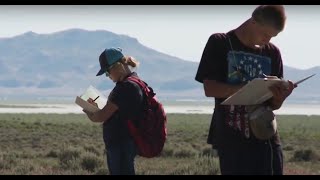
(63, 64)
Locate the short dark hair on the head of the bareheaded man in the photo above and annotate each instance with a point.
(273, 15)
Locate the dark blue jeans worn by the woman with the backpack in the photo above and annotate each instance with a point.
(120, 158)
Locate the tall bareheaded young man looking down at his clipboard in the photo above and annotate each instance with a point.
(229, 61)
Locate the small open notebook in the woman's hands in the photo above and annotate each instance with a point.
(92, 93)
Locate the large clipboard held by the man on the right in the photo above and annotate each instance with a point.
(256, 91)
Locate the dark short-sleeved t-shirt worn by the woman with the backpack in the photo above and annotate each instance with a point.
(129, 98)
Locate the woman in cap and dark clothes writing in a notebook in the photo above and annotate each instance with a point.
(124, 102)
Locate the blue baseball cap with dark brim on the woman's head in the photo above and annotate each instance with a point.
(108, 57)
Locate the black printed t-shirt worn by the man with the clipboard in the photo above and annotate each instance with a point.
(226, 59)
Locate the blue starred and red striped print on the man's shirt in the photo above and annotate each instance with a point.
(243, 67)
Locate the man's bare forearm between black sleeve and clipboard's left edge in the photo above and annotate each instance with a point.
(213, 88)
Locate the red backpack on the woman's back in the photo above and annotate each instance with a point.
(150, 134)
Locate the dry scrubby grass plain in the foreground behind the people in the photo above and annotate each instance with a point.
(71, 144)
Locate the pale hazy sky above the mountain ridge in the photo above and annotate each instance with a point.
(178, 30)
